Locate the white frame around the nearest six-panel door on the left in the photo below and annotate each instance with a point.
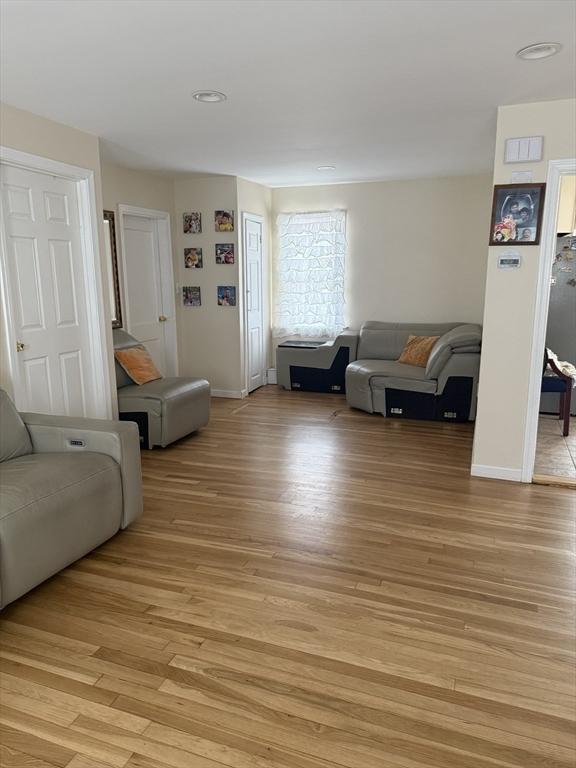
(98, 320)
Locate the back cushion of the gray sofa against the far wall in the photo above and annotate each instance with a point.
(385, 341)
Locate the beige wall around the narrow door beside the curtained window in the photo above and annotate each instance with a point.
(255, 198)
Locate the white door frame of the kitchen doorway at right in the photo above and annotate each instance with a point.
(556, 169)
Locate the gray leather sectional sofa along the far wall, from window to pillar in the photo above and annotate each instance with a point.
(364, 364)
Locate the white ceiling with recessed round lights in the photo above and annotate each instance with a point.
(379, 88)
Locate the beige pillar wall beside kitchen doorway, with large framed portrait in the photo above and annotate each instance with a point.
(509, 311)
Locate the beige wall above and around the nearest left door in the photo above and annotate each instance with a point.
(36, 135)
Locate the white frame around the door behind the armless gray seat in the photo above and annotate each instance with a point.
(168, 286)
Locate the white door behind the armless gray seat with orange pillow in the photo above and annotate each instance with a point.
(145, 313)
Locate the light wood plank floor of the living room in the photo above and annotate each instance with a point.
(309, 587)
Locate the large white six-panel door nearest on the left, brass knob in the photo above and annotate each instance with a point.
(46, 288)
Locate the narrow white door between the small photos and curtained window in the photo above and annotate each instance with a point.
(254, 308)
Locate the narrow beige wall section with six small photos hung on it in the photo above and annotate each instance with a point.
(209, 336)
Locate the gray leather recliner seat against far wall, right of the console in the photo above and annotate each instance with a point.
(446, 389)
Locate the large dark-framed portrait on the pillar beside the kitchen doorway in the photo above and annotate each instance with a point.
(517, 214)
